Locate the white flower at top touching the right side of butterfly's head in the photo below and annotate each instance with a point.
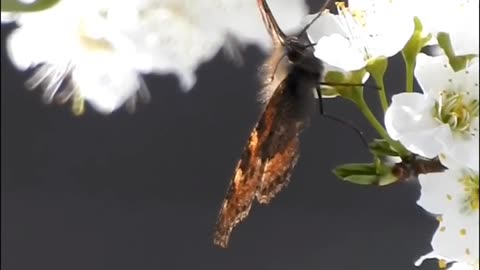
(362, 32)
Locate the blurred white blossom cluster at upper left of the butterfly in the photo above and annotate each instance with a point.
(97, 50)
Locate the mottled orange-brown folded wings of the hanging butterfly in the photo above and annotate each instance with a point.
(269, 156)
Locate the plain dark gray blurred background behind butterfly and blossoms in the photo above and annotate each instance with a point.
(143, 191)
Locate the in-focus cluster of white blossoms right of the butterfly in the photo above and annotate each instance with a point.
(440, 122)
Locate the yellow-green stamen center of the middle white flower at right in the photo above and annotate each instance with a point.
(456, 110)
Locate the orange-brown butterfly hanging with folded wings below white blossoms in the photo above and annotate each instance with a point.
(272, 150)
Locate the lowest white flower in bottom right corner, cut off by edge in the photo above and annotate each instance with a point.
(453, 196)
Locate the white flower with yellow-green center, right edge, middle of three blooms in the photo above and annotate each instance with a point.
(444, 119)
